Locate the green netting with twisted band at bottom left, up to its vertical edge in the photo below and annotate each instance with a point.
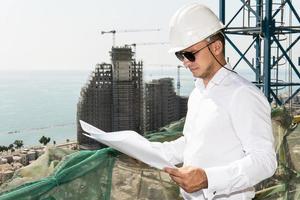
(79, 175)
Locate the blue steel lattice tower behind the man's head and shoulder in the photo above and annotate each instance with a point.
(270, 30)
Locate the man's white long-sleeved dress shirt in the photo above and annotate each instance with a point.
(227, 133)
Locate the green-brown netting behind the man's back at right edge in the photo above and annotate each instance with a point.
(285, 184)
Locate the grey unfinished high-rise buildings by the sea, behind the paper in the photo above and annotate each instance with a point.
(114, 99)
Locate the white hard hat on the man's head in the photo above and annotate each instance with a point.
(191, 24)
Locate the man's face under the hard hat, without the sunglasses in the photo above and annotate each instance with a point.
(201, 67)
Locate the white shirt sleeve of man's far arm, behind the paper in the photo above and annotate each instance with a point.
(172, 151)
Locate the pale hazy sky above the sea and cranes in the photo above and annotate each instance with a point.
(66, 34)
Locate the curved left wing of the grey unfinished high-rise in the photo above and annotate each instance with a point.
(94, 104)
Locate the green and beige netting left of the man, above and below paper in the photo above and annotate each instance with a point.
(92, 175)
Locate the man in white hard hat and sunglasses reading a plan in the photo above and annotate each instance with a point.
(227, 145)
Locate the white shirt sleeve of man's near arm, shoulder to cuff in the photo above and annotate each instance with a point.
(251, 119)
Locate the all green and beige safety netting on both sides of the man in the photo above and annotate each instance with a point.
(107, 174)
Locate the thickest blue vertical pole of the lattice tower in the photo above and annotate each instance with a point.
(268, 30)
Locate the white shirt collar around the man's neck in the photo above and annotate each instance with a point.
(216, 79)
